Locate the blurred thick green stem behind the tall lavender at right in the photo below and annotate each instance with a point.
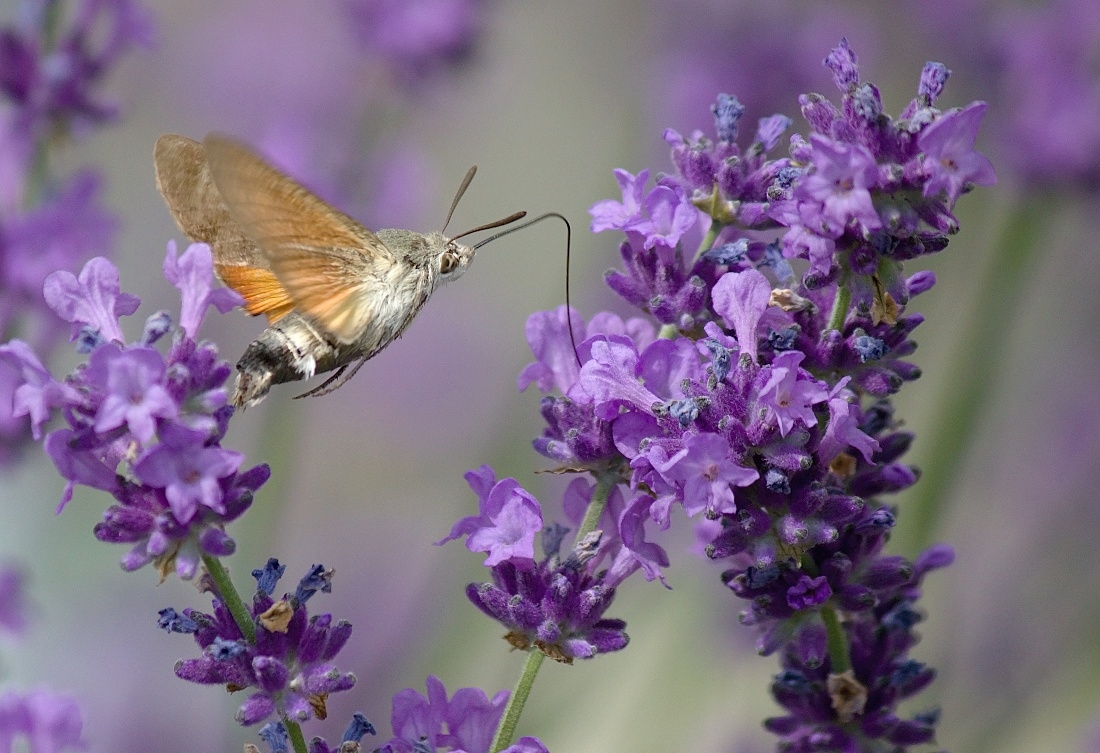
(975, 366)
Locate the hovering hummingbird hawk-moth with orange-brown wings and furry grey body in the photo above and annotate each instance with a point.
(334, 293)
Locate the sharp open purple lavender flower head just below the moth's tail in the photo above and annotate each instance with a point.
(142, 426)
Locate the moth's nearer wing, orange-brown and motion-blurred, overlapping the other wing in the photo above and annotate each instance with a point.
(331, 265)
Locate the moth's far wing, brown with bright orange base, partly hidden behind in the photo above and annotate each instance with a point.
(188, 185)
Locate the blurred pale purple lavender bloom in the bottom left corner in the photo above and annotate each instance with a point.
(50, 723)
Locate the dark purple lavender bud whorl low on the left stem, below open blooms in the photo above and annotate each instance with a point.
(290, 660)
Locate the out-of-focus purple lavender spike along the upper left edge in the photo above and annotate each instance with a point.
(49, 82)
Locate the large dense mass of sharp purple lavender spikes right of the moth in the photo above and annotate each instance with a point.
(764, 401)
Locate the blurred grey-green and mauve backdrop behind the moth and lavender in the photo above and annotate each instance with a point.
(547, 103)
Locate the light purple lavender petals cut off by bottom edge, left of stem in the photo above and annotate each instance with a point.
(467, 723)
